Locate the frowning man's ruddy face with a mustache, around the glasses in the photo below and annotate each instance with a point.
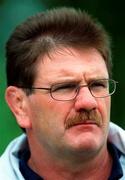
(53, 122)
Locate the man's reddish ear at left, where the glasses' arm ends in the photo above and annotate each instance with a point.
(18, 103)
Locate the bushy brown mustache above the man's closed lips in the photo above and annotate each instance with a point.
(82, 117)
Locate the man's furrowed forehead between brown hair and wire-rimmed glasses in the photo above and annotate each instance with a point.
(72, 63)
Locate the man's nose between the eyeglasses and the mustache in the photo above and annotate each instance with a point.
(85, 100)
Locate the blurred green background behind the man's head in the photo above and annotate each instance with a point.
(109, 12)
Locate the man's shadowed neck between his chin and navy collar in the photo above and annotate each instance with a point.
(98, 166)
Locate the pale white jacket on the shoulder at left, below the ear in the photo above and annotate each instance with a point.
(9, 161)
